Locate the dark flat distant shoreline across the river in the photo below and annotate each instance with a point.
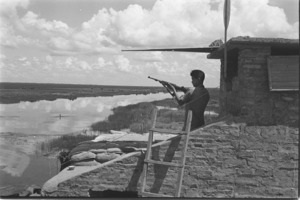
(11, 93)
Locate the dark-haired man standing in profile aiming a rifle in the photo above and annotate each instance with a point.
(194, 99)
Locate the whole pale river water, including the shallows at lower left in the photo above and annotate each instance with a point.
(19, 167)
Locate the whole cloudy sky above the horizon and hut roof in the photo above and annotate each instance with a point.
(81, 41)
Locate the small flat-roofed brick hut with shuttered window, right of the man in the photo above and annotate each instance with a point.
(261, 80)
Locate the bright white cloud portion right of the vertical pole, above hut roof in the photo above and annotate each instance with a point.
(256, 18)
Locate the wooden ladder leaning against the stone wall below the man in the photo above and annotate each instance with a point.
(181, 165)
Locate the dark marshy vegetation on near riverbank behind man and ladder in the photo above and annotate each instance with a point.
(138, 118)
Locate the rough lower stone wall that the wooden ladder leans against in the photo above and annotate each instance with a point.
(222, 161)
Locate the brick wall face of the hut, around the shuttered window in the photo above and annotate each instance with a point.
(248, 95)
